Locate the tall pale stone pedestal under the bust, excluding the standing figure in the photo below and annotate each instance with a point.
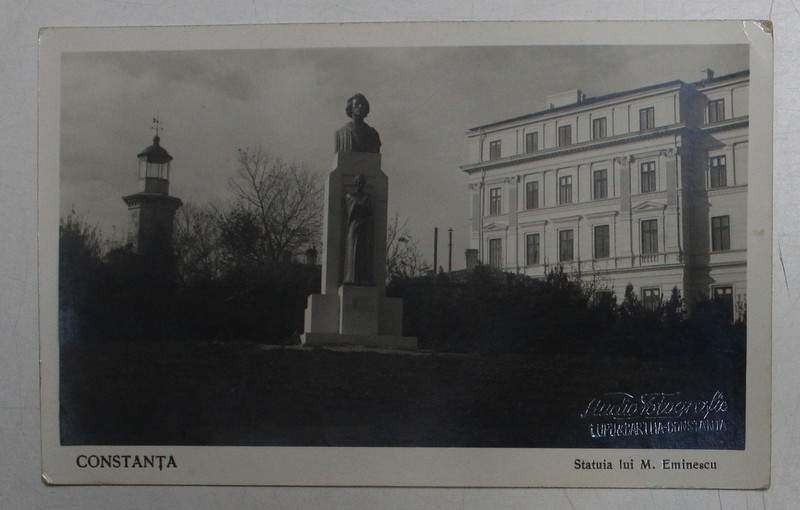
(345, 313)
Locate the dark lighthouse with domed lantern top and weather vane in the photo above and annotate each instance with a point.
(152, 209)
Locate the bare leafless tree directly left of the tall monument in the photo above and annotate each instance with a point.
(283, 201)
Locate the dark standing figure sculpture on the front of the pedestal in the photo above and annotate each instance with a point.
(358, 246)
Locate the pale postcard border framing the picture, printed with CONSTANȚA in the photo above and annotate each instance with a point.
(458, 467)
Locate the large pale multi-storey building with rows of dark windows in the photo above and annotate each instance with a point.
(646, 186)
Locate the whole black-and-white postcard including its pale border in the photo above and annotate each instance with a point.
(382, 245)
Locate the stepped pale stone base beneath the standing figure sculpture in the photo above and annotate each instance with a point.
(356, 315)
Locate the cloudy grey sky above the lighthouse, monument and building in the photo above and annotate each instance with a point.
(291, 101)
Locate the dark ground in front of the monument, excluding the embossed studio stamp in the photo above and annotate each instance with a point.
(247, 394)
